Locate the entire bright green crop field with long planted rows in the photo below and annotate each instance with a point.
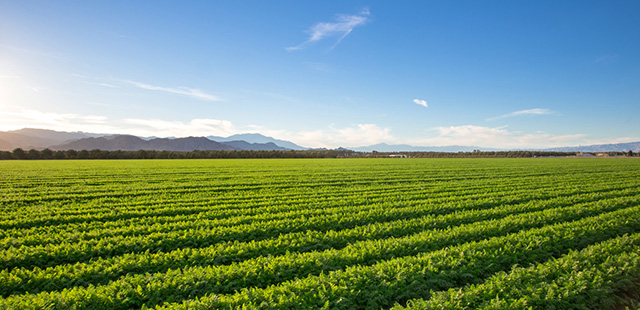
(320, 234)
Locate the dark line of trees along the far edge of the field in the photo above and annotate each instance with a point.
(34, 154)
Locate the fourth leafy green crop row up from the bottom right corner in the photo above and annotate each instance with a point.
(103, 270)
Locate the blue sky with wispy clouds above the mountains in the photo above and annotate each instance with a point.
(491, 74)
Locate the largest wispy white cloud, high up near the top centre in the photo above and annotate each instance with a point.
(341, 27)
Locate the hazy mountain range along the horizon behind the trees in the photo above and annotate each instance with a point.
(31, 138)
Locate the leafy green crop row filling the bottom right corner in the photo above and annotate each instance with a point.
(581, 278)
